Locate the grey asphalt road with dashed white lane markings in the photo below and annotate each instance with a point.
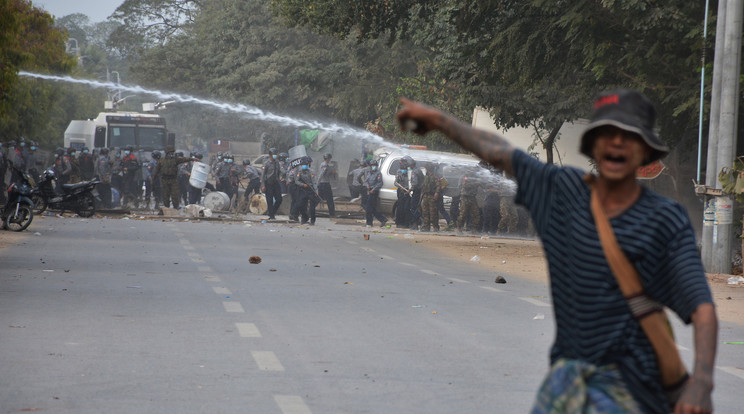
(160, 316)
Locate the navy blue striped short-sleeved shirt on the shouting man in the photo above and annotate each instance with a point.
(593, 321)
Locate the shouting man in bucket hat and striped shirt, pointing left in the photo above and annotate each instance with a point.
(601, 360)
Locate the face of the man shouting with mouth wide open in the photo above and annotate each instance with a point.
(618, 152)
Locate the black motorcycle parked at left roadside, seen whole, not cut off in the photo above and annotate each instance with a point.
(79, 197)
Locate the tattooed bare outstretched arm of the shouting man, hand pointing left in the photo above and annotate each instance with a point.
(492, 148)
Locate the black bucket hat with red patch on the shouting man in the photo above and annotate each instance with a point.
(628, 110)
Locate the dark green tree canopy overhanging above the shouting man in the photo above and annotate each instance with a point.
(538, 62)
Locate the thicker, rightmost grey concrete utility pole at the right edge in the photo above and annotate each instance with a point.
(723, 226)
